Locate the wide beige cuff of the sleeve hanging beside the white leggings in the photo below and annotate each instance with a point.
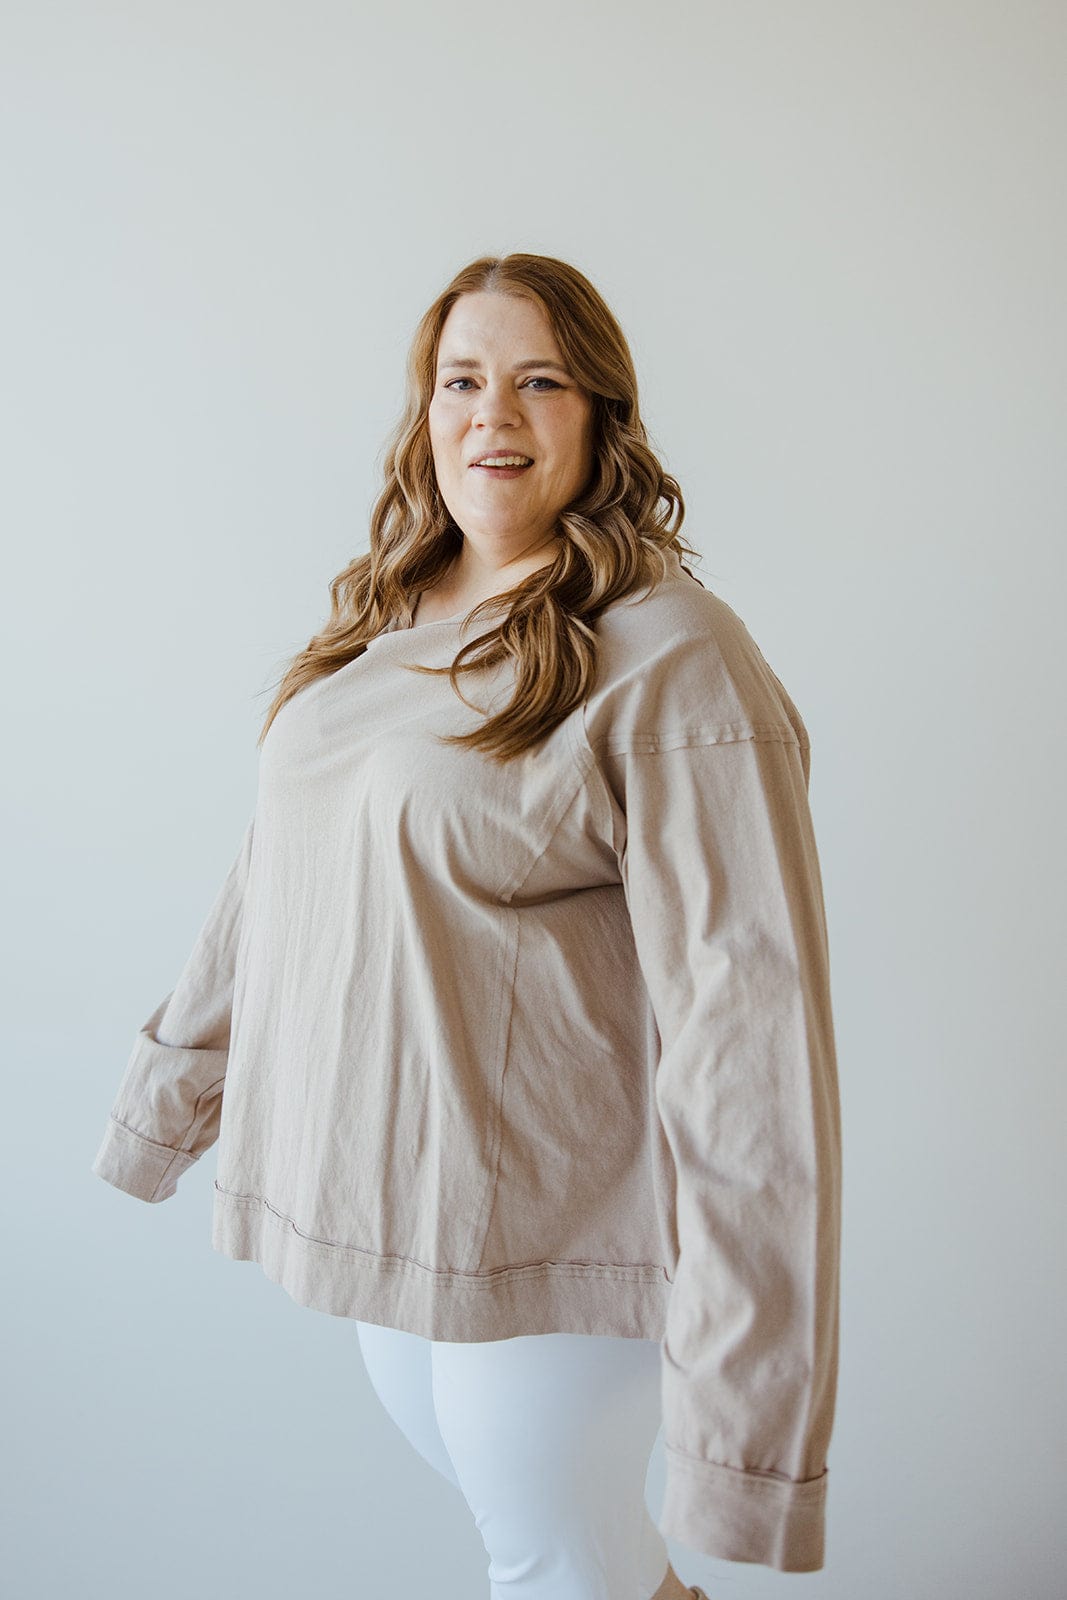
(745, 1516)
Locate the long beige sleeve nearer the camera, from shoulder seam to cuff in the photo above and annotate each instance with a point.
(725, 900)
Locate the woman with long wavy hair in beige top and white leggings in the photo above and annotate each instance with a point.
(519, 985)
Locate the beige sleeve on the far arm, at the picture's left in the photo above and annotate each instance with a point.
(170, 1100)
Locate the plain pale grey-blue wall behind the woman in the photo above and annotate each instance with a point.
(834, 236)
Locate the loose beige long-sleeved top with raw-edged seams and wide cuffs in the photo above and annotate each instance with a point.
(545, 1047)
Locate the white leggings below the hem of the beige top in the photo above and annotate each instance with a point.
(548, 1439)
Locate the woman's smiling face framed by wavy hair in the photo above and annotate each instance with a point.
(502, 388)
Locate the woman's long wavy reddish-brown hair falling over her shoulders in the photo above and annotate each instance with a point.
(612, 537)
